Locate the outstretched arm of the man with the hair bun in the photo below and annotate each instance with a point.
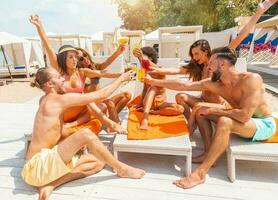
(75, 99)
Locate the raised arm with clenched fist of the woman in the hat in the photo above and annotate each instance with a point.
(35, 19)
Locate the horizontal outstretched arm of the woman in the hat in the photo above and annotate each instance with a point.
(98, 73)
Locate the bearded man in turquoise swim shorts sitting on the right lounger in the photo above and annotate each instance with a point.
(249, 117)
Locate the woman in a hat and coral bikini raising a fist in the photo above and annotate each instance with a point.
(65, 62)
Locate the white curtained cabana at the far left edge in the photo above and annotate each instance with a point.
(16, 50)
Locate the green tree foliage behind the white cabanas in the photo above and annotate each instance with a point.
(214, 15)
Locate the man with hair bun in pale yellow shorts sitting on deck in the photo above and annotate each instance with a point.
(50, 157)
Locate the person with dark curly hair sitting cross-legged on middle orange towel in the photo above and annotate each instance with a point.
(153, 99)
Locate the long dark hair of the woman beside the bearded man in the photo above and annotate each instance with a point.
(194, 69)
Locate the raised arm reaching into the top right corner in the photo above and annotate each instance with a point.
(262, 7)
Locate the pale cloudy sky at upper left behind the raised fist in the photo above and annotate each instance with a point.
(59, 16)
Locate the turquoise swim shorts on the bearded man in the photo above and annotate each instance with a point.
(265, 128)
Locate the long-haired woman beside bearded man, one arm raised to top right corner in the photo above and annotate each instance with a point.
(198, 69)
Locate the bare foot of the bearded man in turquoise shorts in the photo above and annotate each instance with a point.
(196, 178)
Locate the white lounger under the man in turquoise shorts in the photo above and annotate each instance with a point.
(252, 151)
